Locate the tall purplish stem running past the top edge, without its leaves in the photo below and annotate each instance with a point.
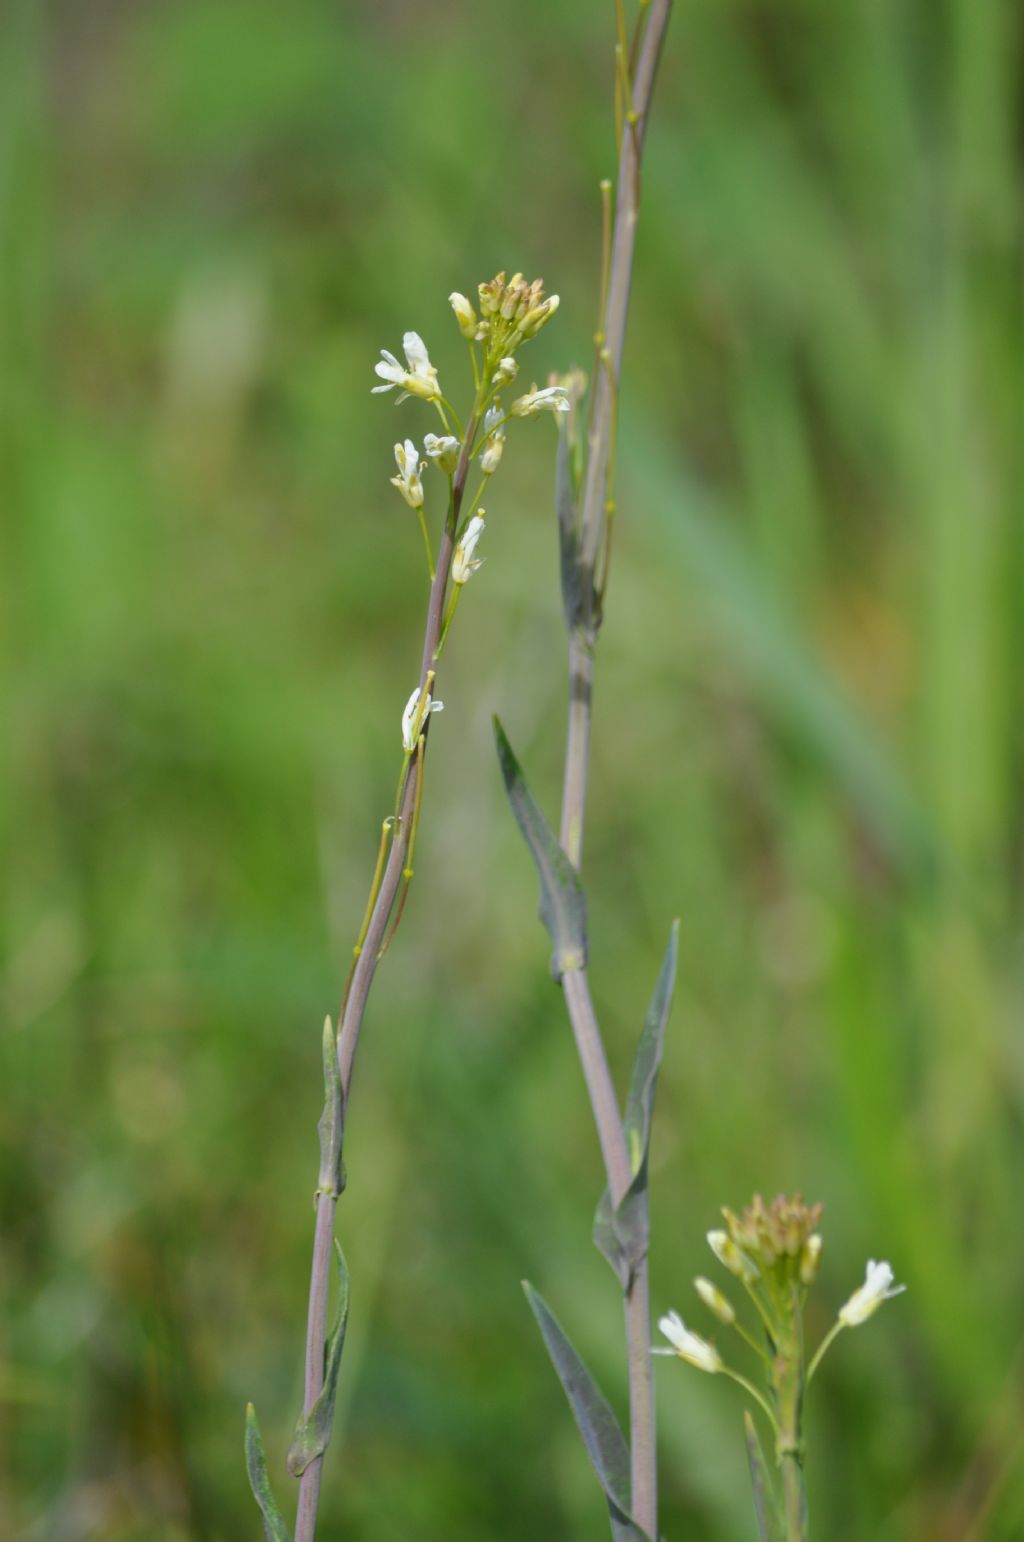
(582, 642)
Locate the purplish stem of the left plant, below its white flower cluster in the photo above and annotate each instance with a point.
(354, 1006)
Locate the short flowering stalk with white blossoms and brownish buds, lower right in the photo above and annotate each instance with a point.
(775, 1253)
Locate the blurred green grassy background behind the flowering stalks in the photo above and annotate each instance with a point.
(809, 746)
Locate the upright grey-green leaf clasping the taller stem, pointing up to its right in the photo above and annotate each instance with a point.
(622, 1234)
